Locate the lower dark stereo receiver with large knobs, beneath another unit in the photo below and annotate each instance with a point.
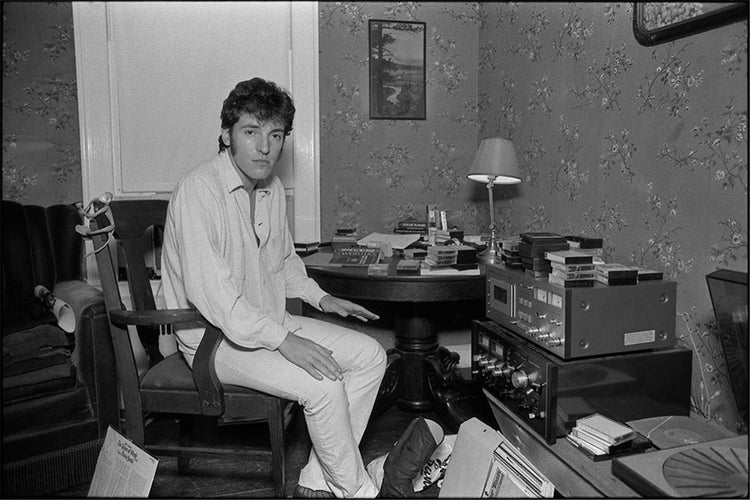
(550, 394)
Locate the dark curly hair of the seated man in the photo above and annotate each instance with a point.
(261, 98)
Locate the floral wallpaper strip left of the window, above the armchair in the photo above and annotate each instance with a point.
(41, 148)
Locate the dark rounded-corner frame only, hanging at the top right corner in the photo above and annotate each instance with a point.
(719, 17)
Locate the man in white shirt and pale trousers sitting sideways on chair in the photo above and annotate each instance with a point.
(228, 252)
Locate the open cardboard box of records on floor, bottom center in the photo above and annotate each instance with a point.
(486, 465)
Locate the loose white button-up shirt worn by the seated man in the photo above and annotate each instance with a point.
(212, 261)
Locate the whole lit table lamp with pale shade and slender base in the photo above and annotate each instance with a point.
(494, 163)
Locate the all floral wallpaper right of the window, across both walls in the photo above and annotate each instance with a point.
(645, 147)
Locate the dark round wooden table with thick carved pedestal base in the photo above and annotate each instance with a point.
(420, 375)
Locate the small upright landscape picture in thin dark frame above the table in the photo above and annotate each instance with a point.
(397, 70)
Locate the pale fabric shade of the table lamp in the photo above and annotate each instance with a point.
(495, 162)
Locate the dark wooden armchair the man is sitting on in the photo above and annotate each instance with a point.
(169, 386)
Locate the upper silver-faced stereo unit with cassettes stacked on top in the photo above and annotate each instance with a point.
(586, 321)
